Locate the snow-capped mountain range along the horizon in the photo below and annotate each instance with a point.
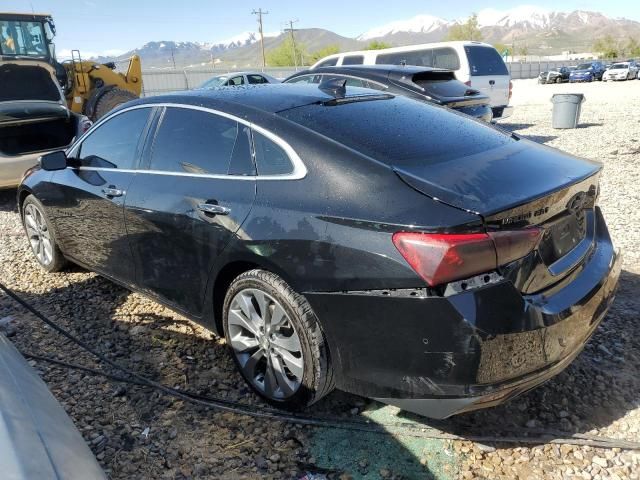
(538, 31)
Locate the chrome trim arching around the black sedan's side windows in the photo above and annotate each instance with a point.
(299, 168)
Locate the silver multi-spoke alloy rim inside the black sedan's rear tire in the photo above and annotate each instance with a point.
(265, 343)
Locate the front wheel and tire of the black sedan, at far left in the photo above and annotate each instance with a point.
(41, 236)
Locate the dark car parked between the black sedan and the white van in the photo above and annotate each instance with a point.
(421, 83)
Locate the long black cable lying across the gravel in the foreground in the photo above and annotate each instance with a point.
(275, 414)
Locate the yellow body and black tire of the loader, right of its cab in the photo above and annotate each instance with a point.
(96, 88)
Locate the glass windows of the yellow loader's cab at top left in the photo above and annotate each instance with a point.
(22, 39)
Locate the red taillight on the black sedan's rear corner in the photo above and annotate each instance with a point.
(445, 257)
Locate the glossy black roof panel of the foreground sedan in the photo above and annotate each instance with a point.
(269, 97)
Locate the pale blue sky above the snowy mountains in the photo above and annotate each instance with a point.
(98, 26)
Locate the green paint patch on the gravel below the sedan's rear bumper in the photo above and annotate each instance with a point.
(368, 455)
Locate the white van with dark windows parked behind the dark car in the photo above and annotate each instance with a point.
(477, 64)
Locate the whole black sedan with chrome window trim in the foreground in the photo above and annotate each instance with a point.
(339, 237)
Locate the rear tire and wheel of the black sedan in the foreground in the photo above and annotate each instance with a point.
(276, 341)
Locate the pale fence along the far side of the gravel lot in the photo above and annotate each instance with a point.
(157, 82)
